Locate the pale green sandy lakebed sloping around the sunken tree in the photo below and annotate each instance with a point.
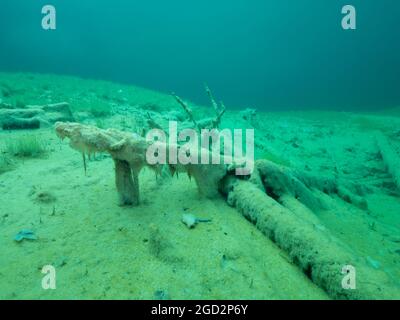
(101, 250)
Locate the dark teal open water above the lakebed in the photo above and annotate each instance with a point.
(272, 54)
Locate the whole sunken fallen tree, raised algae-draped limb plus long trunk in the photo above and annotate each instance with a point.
(260, 198)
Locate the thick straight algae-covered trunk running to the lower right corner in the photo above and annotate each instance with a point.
(319, 255)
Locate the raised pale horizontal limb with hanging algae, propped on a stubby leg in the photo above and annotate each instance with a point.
(128, 151)
